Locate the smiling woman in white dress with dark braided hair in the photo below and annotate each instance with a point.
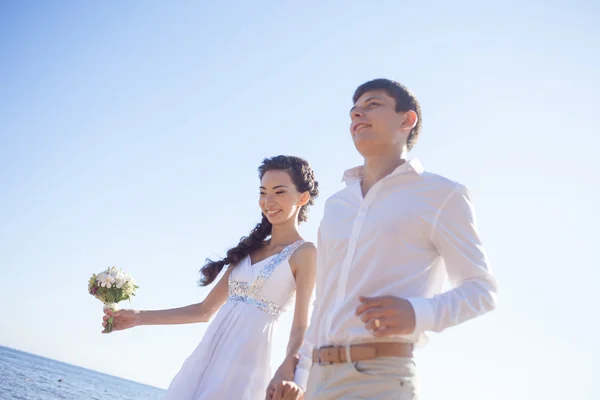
(266, 271)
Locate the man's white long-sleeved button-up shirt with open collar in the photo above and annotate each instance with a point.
(411, 231)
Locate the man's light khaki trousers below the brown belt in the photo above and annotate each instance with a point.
(378, 379)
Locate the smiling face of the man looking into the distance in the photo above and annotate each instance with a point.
(376, 127)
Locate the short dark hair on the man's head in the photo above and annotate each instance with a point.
(405, 101)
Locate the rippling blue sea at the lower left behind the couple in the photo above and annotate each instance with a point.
(26, 376)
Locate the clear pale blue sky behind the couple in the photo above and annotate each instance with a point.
(130, 134)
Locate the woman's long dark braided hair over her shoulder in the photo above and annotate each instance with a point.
(304, 179)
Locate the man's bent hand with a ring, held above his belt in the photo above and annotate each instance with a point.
(387, 315)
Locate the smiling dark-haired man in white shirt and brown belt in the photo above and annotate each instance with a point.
(386, 243)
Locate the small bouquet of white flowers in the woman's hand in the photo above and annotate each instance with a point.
(110, 287)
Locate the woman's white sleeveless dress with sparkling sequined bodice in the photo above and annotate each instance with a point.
(233, 359)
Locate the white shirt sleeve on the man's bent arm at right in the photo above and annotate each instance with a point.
(456, 238)
